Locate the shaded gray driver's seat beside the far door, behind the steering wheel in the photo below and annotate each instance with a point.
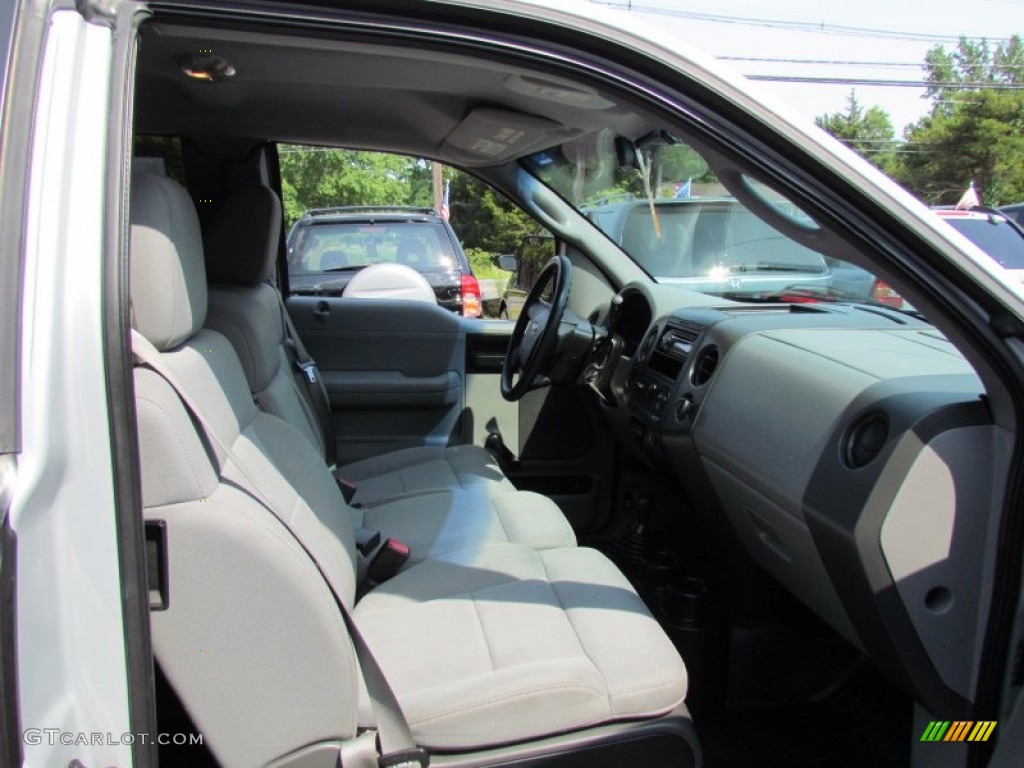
(241, 246)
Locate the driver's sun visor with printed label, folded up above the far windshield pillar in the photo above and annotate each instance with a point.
(491, 137)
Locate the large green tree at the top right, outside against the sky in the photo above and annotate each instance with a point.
(975, 131)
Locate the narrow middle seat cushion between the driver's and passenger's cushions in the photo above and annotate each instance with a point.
(433, 525)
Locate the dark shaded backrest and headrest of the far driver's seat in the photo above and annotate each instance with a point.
(241, 247)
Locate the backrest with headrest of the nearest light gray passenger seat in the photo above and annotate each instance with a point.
(251, 639)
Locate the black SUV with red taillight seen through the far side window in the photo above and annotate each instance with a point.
(327, 246)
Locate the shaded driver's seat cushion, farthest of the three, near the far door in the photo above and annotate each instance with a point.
(423, 470)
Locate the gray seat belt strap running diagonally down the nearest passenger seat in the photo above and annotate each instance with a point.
(397, 745)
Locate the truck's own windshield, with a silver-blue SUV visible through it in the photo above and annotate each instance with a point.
(661, 202)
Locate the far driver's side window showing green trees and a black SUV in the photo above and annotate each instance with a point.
(348, 209)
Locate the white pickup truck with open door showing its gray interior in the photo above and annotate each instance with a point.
(642, 526)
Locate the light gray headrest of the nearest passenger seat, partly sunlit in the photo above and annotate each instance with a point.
(168, 281)
